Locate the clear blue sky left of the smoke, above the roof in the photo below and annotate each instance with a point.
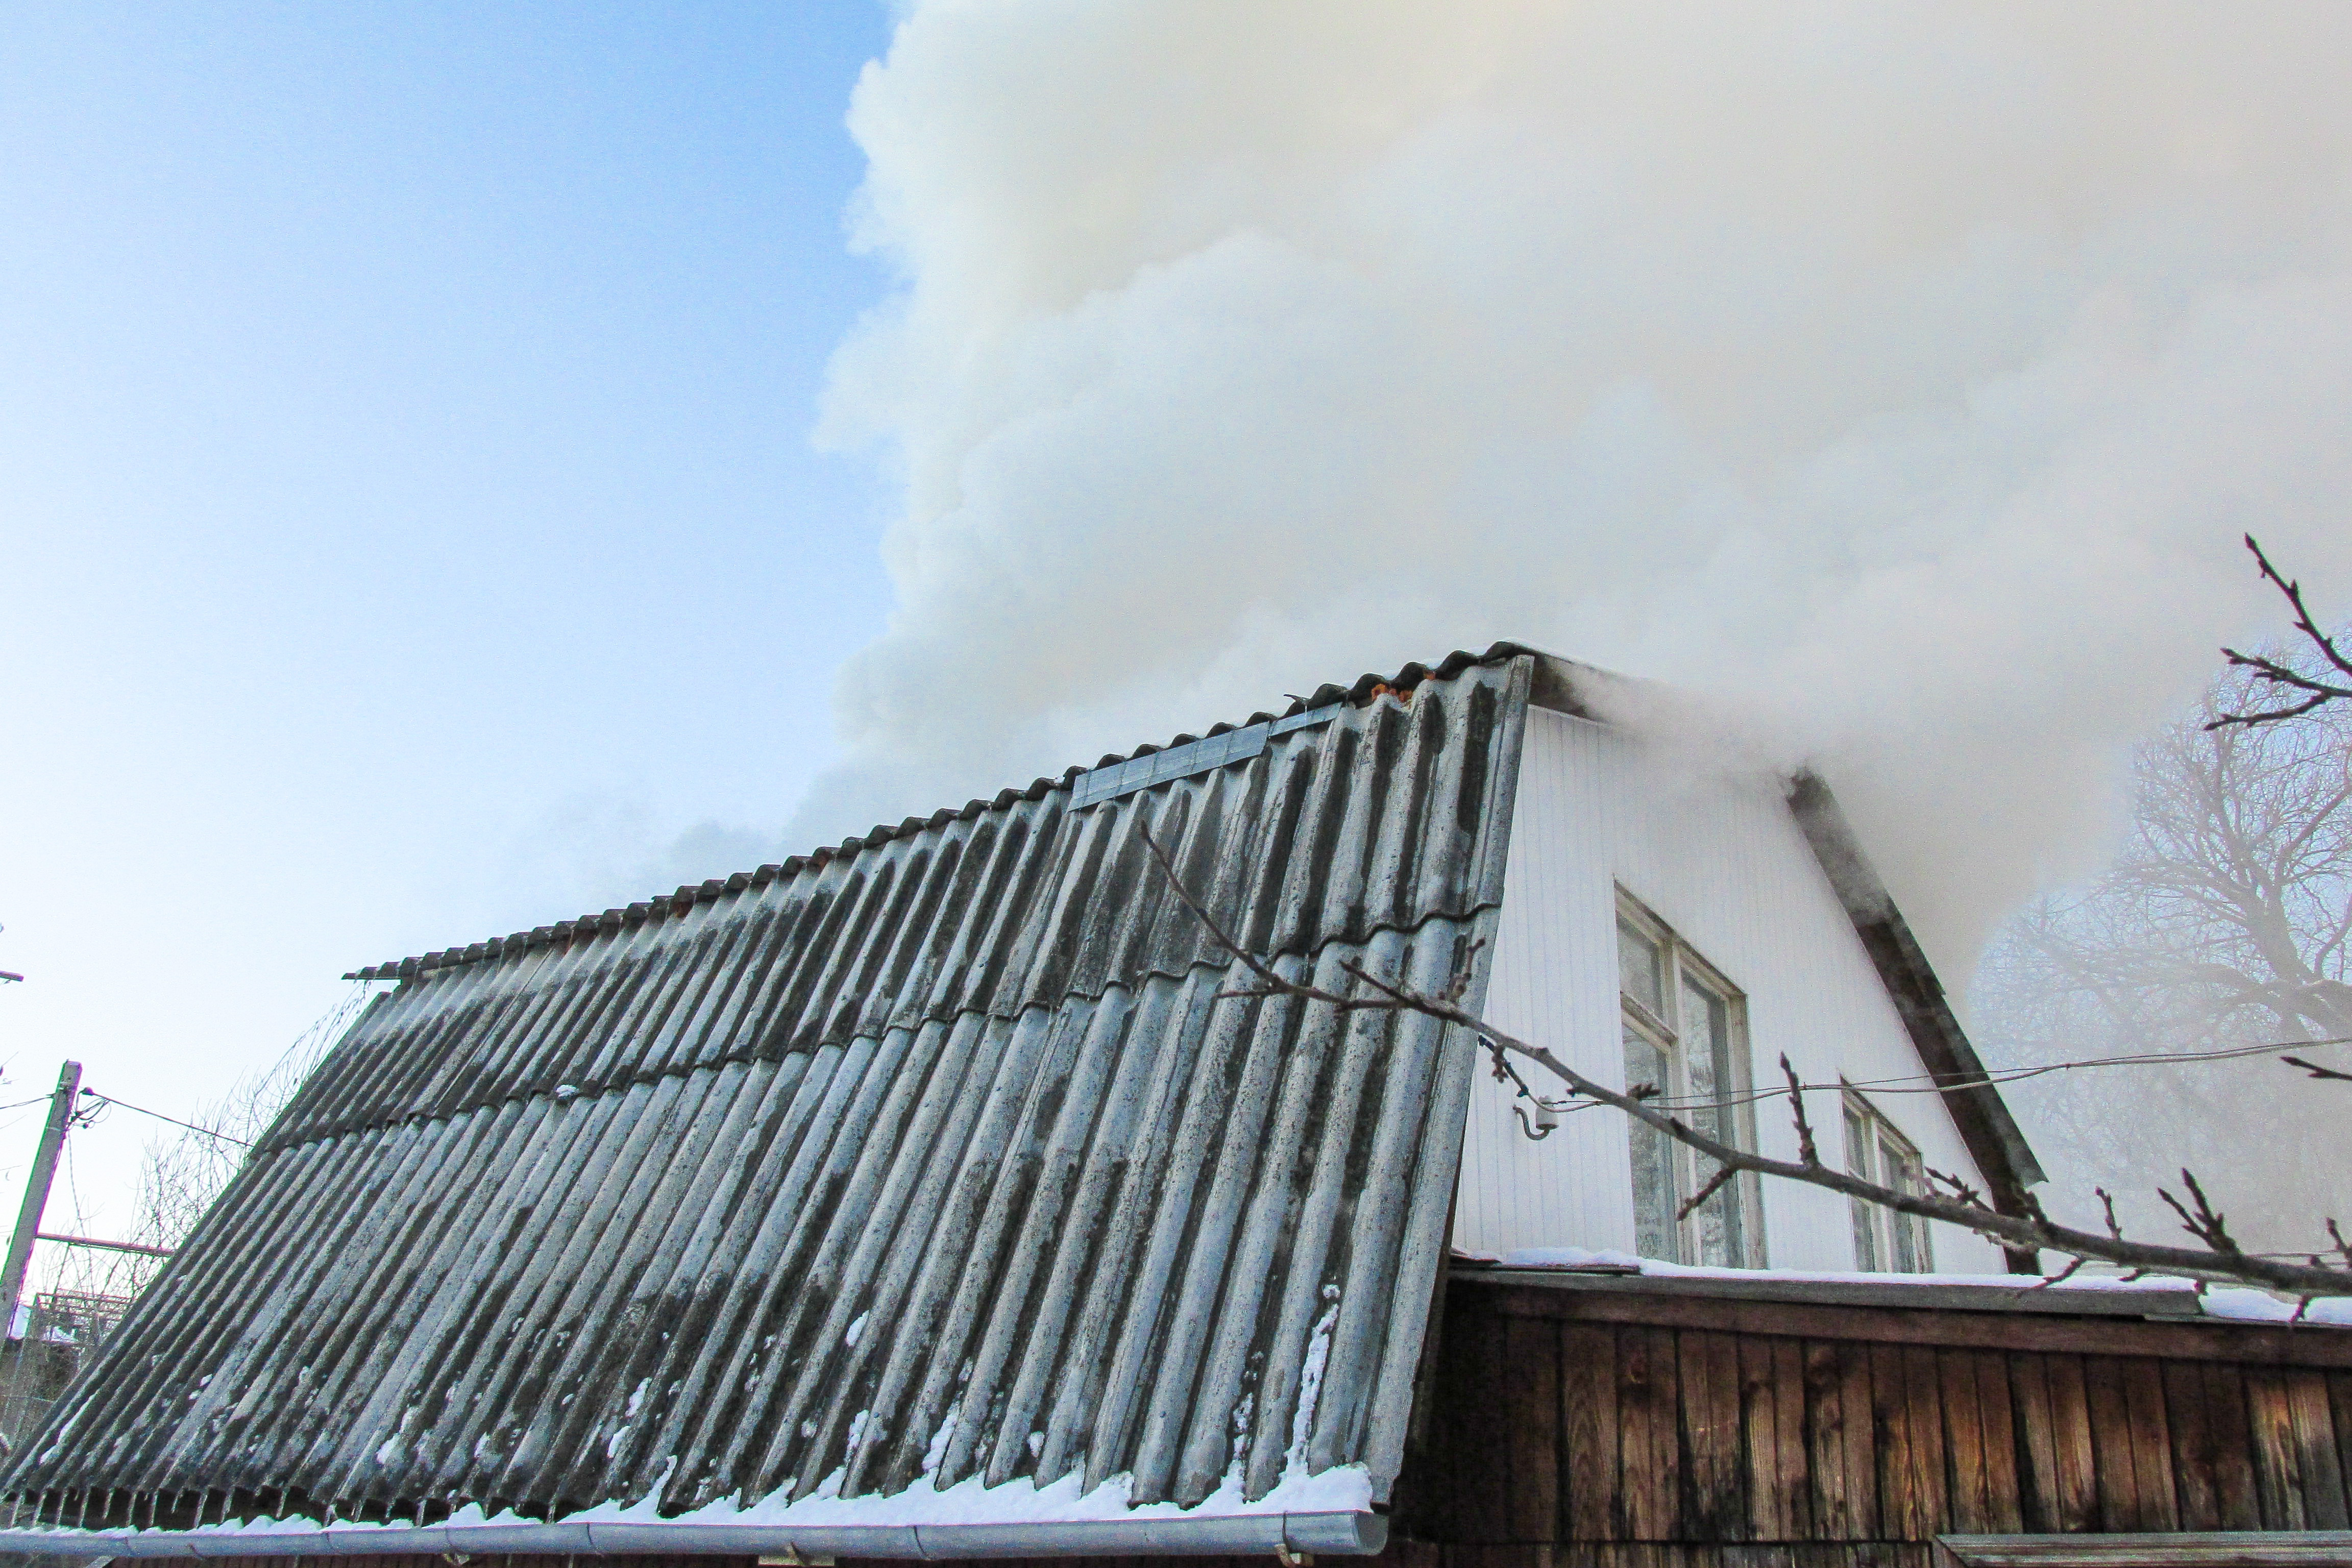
(408, 514)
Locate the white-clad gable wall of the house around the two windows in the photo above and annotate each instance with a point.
(1725, 864)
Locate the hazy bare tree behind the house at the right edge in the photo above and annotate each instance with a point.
(2221, 923)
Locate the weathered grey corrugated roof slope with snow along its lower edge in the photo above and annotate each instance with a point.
(930, 1155)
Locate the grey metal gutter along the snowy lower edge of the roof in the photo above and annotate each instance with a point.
(1347, 1534)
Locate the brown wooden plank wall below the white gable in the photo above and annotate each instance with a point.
(1577, 1430)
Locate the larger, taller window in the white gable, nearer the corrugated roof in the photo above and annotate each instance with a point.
(1685, 1038)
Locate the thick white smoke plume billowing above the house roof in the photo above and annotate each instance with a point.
(1904, 373)
